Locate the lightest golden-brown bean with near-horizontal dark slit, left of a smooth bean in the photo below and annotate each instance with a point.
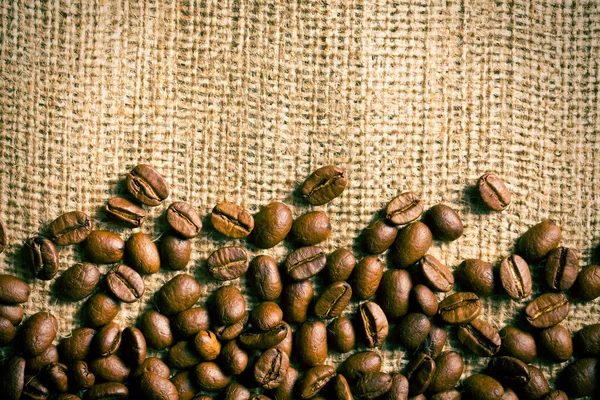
(232, 220)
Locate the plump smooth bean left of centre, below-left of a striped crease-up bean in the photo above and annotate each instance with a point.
(177, 295)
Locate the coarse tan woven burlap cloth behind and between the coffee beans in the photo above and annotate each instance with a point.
(240, 101)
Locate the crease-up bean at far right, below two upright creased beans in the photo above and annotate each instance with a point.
(547, 310)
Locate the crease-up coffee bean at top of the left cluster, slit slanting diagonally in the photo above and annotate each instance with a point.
(147, 185)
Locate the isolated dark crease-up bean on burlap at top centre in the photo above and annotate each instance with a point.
(324, 185)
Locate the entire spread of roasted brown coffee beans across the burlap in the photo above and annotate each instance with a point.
(278, 349)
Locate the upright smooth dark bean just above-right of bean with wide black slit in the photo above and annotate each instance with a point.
(394, 292)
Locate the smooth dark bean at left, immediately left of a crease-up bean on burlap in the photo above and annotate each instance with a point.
(78, 282)
